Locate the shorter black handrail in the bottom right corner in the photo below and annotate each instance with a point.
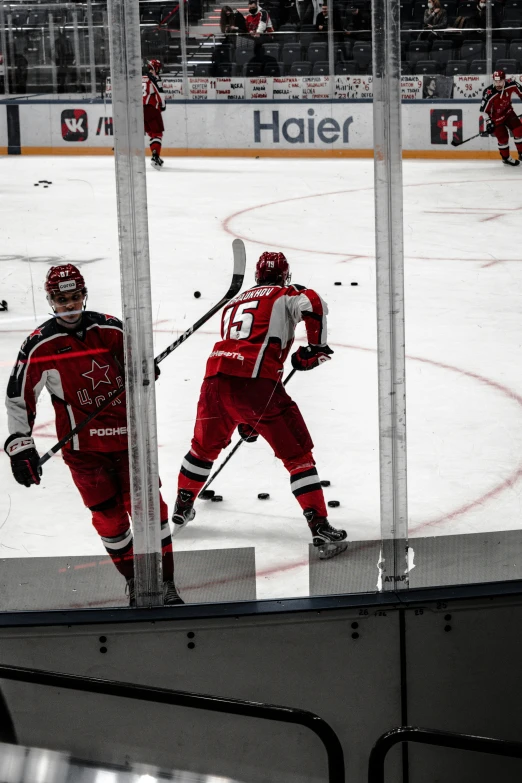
(446, 739)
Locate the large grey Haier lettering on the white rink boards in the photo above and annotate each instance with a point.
(297, 130)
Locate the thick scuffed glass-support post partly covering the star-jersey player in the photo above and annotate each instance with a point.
(131, 192)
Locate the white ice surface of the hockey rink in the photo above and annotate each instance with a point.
(463, 282)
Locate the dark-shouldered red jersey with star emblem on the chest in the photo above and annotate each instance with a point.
(80, 369)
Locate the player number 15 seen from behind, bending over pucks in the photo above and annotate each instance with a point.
(242, 387)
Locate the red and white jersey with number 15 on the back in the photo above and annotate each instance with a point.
(258, 327)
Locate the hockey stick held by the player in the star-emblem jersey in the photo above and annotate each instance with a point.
(238, 275)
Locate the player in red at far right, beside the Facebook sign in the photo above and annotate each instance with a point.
(496, 103)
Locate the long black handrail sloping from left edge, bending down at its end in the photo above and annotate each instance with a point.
(250, 709)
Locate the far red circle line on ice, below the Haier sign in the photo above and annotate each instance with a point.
(344, 257)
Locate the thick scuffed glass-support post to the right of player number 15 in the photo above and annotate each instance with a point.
(390, 290)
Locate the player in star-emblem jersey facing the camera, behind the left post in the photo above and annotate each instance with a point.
(78, 357)
